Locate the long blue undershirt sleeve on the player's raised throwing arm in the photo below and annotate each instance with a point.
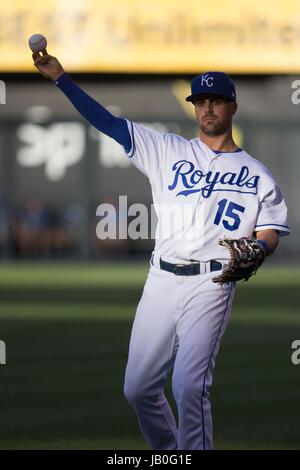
(95, 113)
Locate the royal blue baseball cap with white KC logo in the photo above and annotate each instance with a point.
(215, 83)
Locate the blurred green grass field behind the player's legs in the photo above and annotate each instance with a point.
(67, 327)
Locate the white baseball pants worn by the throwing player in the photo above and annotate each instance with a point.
(179, 323)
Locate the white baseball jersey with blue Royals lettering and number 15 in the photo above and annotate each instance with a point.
(227, 194)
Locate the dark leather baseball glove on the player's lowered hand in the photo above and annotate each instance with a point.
(246, 256)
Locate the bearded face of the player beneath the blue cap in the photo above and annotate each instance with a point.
(214, 114)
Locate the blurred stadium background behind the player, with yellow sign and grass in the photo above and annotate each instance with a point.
(67, 300)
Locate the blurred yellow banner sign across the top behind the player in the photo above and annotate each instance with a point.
(157, 36)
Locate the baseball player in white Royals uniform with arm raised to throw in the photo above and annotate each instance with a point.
(239, 214)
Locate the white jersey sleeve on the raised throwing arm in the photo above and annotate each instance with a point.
(147, 150)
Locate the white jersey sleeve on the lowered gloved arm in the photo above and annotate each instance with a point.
(273, 212)
